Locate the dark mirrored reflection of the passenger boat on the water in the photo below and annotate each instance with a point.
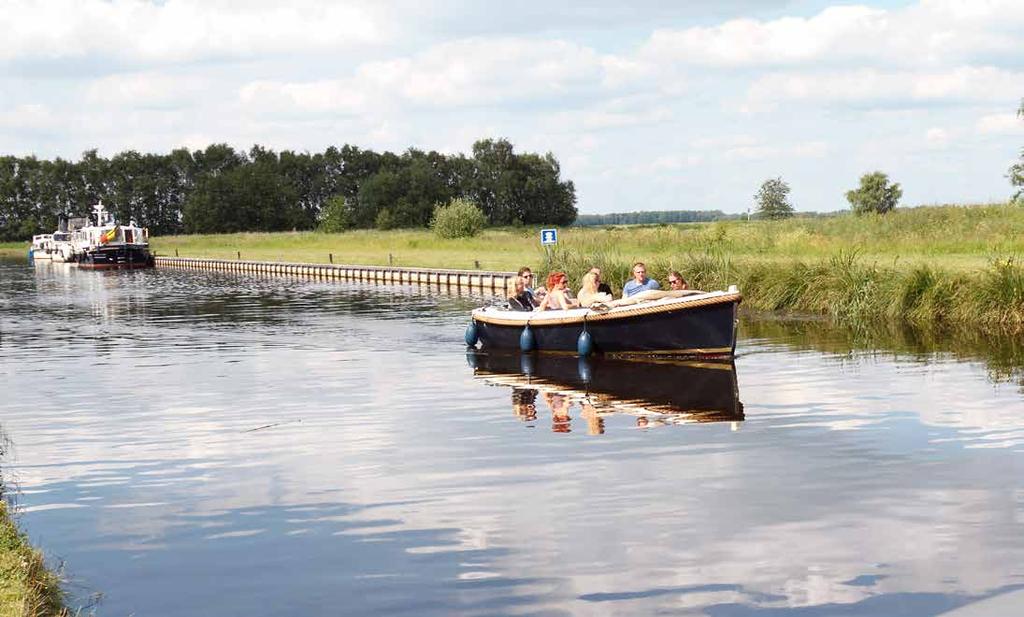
(657, 392)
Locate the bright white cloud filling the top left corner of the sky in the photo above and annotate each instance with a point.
(140, 32)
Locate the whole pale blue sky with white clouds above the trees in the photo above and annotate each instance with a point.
(648, 106)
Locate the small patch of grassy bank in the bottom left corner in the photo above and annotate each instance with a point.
(27, 588)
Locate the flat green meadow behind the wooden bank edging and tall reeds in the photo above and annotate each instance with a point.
(948, 238)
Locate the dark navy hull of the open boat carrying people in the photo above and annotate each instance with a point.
(687, 329)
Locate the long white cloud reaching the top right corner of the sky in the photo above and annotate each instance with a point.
(935, 32)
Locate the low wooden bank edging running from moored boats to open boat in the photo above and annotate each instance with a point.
(474, 280)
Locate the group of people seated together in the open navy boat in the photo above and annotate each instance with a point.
(526, 295)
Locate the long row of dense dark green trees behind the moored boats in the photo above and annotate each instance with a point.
(220, 190)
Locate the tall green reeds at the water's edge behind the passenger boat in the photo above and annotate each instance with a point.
(846, 287)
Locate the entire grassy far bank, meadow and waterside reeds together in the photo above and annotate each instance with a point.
(933, 268)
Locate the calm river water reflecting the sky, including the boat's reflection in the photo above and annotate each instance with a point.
(195, 444)
